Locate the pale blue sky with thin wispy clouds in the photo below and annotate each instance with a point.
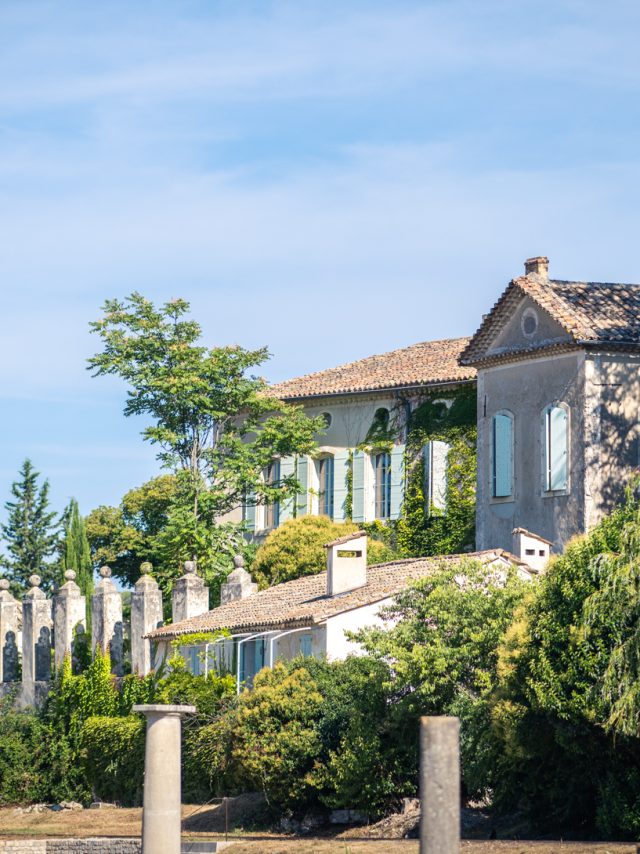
(331, 179)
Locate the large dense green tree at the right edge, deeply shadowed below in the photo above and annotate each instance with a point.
(565, 759)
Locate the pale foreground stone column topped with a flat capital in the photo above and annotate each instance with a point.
(161, 819)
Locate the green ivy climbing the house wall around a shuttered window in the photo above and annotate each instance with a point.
(423, 530)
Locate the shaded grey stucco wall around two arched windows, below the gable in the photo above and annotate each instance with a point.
(525, 388)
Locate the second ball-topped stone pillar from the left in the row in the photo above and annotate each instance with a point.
(36, 636)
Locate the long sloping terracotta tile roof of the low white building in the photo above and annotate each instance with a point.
(304, 601)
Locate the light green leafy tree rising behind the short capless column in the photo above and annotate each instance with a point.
(442, 645)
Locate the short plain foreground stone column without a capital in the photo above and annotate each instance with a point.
(440, 785)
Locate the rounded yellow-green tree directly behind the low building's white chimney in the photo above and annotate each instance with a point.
(296, 548)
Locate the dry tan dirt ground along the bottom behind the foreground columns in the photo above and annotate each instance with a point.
(128, 822)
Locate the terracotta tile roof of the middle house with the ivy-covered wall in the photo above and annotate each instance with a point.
(428, 363)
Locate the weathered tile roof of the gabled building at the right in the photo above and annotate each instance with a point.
(590, 312)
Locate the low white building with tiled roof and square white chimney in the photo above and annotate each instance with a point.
(309, 616)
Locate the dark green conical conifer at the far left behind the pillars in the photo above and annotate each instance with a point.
(31, 531)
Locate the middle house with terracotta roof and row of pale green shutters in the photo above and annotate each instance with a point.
(358, 469)
